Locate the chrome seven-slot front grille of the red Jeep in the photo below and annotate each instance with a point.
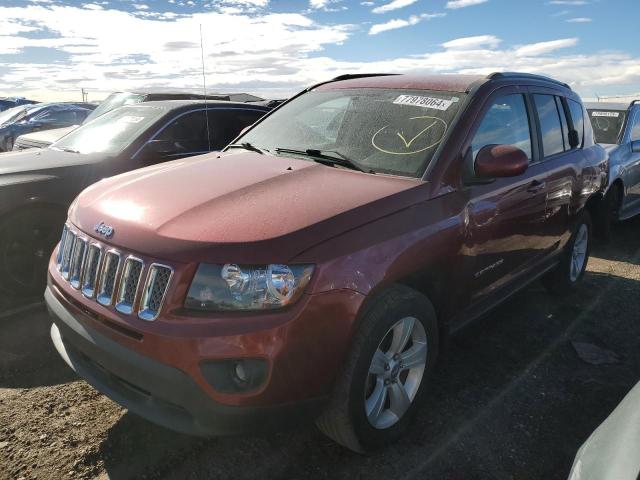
(111, 277)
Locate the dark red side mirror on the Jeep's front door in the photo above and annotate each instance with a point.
(495, 161)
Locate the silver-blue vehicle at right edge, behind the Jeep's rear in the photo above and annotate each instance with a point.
(616, 126)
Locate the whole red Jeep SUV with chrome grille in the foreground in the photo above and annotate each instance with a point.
(316, 265)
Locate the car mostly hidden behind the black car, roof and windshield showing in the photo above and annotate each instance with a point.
(117, 99)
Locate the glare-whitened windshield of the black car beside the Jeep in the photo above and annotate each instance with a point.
(112, 132)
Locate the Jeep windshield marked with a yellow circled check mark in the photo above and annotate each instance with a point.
(380, 130)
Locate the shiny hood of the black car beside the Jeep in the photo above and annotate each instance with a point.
(24, 161)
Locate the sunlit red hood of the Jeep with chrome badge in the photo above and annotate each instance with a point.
(237, 207)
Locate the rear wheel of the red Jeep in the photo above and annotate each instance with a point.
(570, 270)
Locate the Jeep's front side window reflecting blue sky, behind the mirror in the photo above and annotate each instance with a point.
(505, 123)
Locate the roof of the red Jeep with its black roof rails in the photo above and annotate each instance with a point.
(443, 82)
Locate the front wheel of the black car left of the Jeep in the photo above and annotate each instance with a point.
(27, 238)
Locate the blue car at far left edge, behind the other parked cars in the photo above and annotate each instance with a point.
(42, 116)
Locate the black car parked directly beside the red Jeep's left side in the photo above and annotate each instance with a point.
(37, 186)
